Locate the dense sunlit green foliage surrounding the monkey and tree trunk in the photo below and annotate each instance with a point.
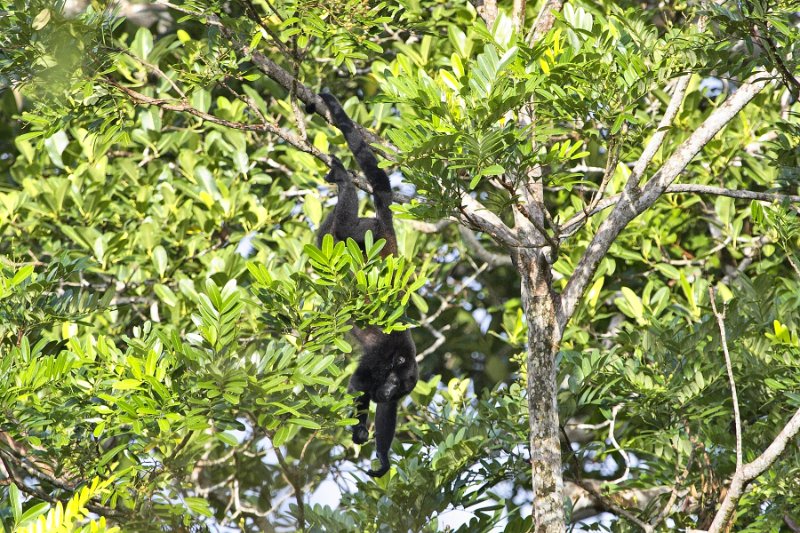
(170, 326)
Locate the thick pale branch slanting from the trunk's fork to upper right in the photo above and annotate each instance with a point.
(634, 201)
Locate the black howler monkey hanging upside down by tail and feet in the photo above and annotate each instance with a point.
(387, 370)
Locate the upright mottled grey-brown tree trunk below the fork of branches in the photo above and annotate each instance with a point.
(548, 484)
